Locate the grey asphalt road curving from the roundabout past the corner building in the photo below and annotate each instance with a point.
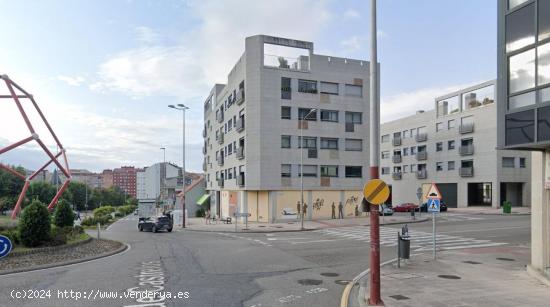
(211, 269)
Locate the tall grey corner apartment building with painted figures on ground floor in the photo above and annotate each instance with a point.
(279, 89)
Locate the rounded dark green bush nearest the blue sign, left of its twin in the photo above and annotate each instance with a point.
(34, 224)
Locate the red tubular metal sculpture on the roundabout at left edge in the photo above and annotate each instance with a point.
(17, 93)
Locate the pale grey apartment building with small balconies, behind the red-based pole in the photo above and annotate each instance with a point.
(454, 146)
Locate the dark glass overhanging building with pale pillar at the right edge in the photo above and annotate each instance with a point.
(523, 47)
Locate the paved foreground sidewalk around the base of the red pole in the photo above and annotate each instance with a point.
(466, 278)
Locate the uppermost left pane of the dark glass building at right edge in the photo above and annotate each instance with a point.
(520, 28)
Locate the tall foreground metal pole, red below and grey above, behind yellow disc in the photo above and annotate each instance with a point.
(375, 297)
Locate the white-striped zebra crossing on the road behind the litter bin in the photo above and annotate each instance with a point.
(420, 241)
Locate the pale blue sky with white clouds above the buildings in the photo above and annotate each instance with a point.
(104, 71)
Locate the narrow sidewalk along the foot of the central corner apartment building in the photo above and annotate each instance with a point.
(198, 224)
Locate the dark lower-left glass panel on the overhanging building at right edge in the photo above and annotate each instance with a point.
(520, 127)
